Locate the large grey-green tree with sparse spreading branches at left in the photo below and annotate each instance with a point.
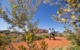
(20, 14)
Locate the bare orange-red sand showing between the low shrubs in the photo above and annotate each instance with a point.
(59, 42)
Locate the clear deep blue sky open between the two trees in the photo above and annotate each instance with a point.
(43, 14)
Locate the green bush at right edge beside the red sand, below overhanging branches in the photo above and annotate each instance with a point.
(75, 40)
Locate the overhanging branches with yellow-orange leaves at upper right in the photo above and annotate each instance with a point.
(68, 12)
